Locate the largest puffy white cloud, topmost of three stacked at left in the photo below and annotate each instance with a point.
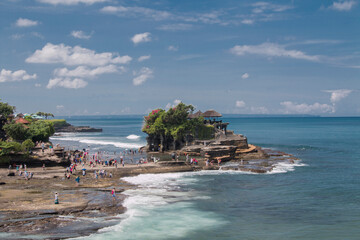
(77, 55)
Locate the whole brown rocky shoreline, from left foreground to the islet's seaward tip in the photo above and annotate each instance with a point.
(27, 207)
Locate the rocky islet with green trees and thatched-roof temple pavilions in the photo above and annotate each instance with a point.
(204, 134)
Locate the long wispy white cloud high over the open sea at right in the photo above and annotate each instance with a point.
(271, 50)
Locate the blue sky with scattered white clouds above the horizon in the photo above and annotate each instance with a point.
(115, 57)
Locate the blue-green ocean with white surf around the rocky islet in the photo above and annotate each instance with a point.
(318, 198)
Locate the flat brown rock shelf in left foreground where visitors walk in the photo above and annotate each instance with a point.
(27, 207)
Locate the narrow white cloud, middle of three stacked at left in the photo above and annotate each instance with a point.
(85, 72)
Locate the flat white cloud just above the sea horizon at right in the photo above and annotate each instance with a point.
(303, 108)
